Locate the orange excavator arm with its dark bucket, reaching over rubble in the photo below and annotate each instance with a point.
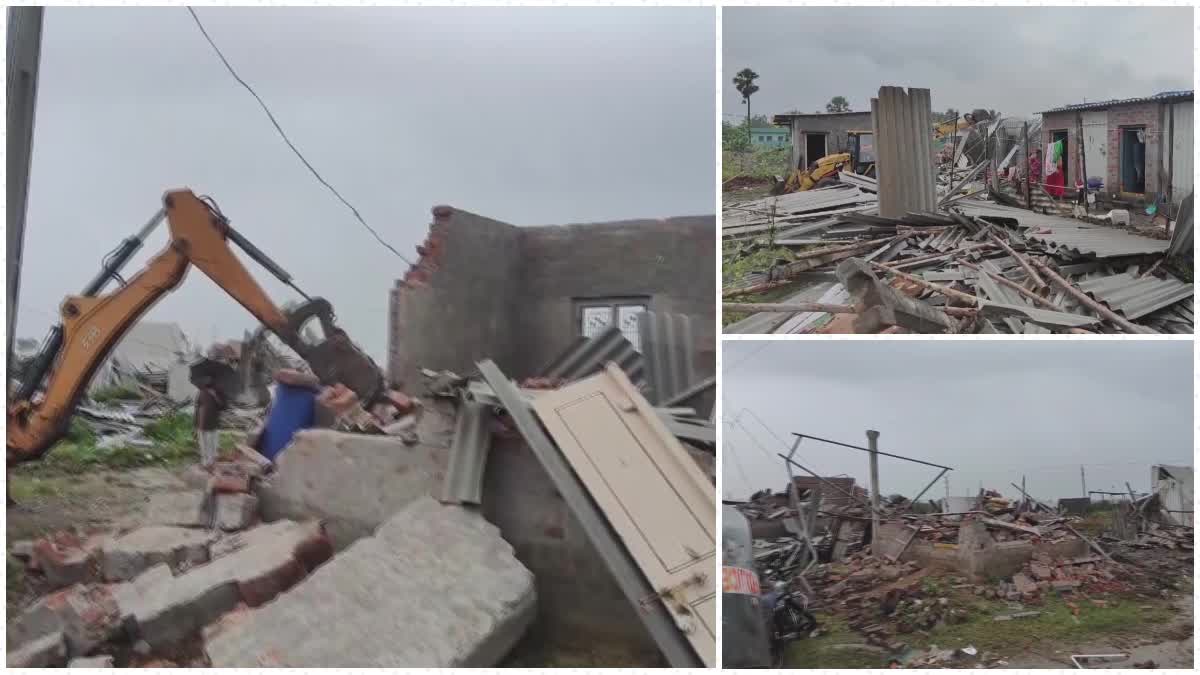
(94, 324)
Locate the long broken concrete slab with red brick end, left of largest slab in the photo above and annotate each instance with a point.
(273, 558)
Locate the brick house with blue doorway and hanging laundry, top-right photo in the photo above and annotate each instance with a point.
(1141, 148)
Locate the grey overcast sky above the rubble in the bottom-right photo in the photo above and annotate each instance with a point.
(991, 410)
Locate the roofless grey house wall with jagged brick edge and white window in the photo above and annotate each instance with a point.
(485, 289)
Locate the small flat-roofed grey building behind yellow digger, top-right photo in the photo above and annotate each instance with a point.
(818, 135)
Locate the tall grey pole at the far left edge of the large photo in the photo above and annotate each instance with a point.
(25, 53)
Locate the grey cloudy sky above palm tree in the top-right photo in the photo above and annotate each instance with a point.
(1017, 61)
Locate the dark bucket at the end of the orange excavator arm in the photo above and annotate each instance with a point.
(335, 360)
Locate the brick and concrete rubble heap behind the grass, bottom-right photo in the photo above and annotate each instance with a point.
(916, 572)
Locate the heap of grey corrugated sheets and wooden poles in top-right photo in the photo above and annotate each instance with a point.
(975, 260)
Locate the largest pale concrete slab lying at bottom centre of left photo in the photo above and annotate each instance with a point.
(435, 588)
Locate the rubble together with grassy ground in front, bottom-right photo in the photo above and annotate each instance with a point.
(1006, 584)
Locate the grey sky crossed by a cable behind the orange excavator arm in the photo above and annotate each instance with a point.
(529, 116)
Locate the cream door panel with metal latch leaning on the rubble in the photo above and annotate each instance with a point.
(659, 503)
